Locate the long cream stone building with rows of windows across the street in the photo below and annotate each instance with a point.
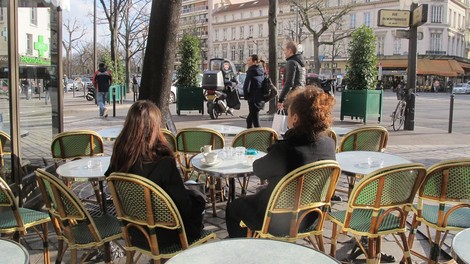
(239, 30)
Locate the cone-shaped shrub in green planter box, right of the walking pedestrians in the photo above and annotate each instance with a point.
(361, 100)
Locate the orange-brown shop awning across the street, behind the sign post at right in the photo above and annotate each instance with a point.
(448, 68)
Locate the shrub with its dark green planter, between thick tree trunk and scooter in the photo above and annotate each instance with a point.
(188, 95)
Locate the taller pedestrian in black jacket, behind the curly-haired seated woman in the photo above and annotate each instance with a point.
(295, 72)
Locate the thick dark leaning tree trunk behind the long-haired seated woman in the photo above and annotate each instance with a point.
(160, 52)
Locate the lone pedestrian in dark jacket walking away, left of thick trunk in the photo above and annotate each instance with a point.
(102, 80)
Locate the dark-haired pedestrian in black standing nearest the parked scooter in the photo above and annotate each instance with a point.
(252, 90)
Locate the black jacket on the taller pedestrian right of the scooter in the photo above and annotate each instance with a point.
(294, 74)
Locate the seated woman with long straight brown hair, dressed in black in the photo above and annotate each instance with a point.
(141, 149)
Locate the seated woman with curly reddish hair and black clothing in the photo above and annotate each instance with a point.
(309, 115)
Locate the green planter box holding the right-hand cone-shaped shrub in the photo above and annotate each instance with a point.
(361, 104)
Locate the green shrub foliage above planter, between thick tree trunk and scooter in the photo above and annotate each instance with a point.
(190, 56)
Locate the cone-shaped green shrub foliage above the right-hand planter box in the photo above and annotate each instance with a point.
(362, 62)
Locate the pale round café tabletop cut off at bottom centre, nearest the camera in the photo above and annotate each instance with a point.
(251, 250)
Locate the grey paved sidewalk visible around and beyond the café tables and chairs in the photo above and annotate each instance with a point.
(428, 143)
